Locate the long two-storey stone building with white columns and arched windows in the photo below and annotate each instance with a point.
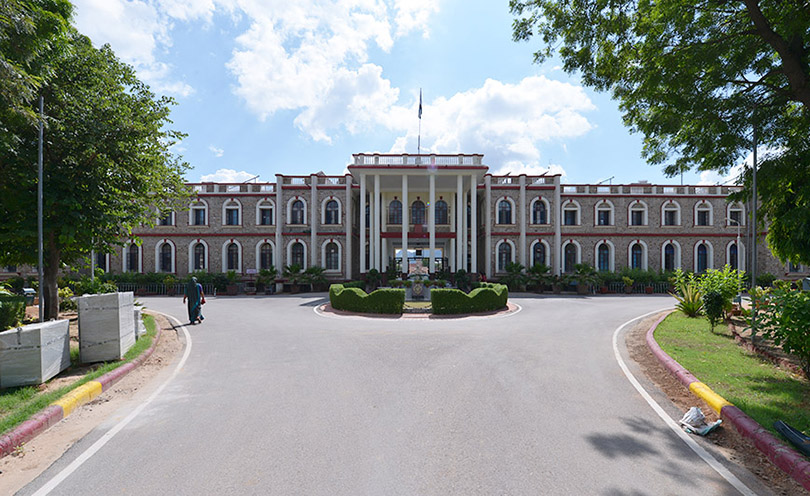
(444, 212)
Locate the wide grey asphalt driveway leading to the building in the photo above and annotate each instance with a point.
(276, 399)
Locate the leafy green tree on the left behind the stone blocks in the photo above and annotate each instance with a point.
(107, 164)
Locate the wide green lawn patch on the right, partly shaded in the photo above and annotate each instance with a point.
(759, 388)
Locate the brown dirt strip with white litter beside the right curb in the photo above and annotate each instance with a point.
(726, 438)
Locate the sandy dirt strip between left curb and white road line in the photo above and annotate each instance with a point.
(33, 458)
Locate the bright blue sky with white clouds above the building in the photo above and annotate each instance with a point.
(297, 86)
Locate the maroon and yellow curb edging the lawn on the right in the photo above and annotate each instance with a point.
(781, 455)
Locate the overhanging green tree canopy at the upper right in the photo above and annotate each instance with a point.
(693, 76)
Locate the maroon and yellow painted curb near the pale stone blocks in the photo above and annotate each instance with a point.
(65, 405)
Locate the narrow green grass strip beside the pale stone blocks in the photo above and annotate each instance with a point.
(18, 404)
